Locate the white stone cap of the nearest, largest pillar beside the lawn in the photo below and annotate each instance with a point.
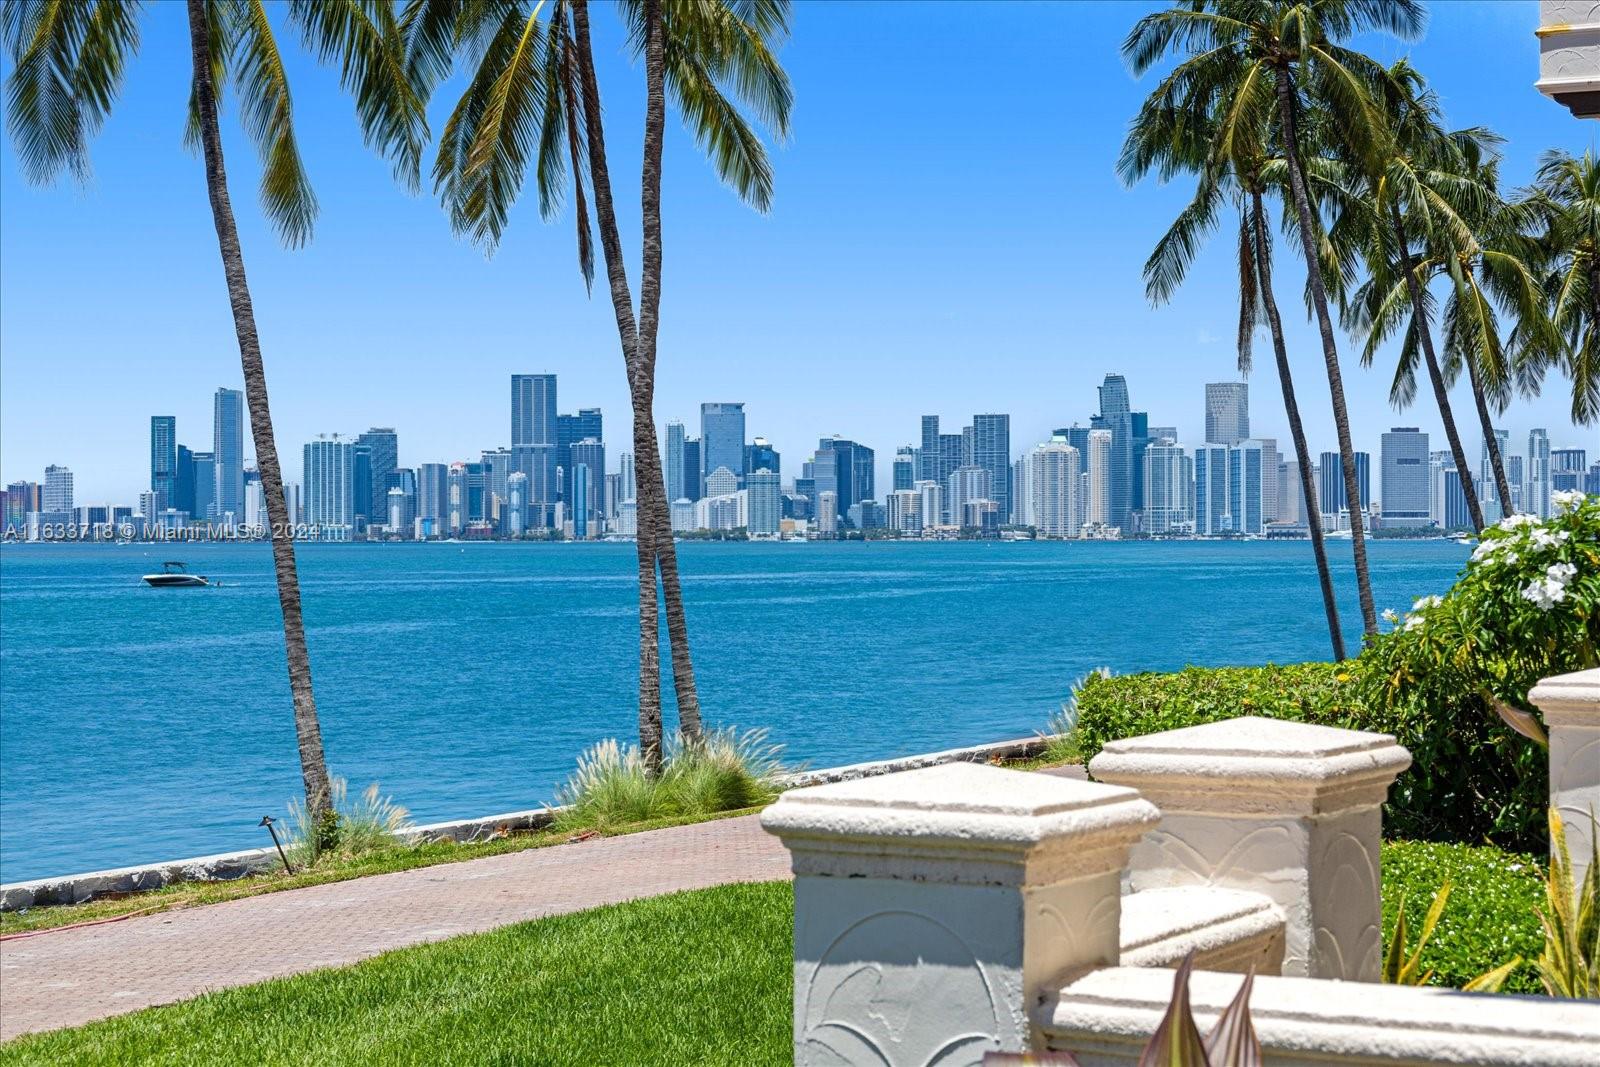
(961, 809)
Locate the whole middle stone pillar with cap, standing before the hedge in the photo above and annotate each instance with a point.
(1286, 810)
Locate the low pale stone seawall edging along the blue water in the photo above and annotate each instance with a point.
(226, 866)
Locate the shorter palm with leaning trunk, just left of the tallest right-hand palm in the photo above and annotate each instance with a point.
(1175, 137)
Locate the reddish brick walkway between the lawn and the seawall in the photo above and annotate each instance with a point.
(73, 977)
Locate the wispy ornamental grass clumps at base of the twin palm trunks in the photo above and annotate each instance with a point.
(724, 772)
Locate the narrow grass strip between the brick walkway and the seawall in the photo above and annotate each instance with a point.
(375, 863)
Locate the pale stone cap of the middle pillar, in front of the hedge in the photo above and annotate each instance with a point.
(1254, 764)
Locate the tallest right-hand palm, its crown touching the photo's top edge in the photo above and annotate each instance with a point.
(1257, 62)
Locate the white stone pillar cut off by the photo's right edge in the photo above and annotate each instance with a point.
(1572, 714)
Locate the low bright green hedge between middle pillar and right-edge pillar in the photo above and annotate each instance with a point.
(1490, 914)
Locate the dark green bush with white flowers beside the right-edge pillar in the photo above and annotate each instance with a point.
(1460, 668)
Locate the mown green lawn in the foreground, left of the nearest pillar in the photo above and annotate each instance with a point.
(692, 978)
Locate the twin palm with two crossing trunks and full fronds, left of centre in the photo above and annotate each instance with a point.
(534, 92)
